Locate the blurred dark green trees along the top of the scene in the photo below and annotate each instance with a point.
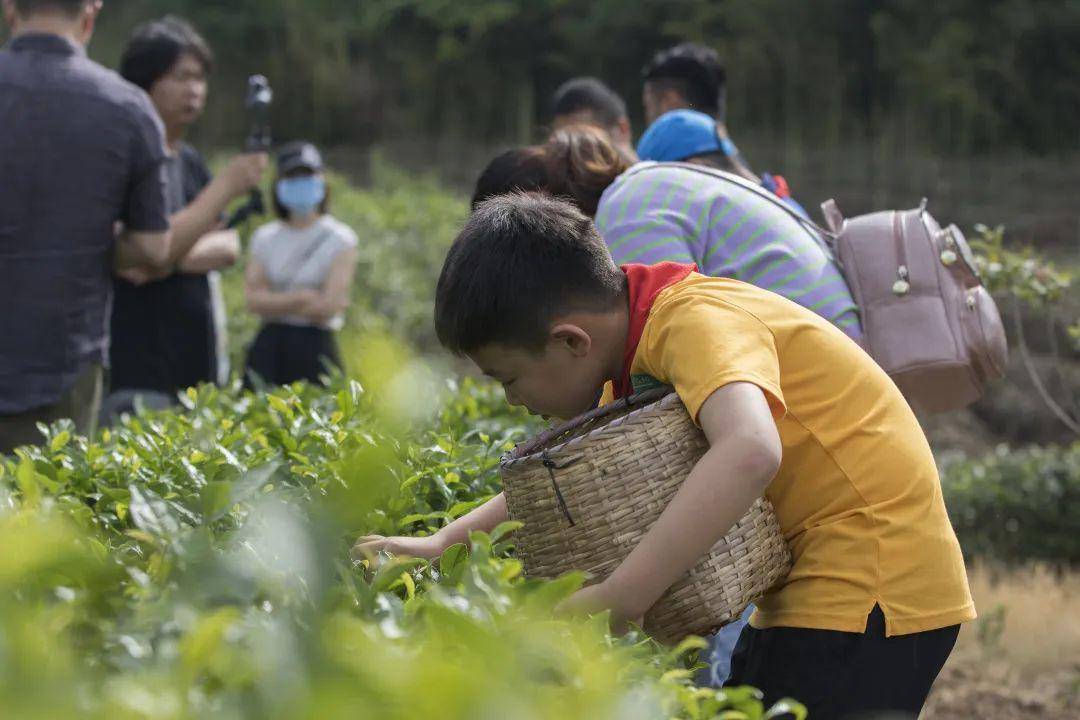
(956, 76)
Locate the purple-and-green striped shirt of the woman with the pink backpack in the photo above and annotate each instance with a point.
(673, 212)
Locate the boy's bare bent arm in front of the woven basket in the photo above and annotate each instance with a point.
(744, 458)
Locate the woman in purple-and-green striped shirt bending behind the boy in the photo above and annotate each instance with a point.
(653, 213)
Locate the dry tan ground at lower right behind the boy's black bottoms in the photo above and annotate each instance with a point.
(1021, 660)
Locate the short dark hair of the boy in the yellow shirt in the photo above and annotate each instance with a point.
(522, 261)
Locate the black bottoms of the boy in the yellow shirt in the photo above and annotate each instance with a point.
(844, 676)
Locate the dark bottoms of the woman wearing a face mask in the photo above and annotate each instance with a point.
(285, 354)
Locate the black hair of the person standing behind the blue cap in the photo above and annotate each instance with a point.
(696, 73)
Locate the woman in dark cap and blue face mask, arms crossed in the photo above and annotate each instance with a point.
(300, 276)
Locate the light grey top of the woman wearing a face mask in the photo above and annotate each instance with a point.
(302, 260)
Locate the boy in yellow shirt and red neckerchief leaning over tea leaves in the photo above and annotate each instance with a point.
(792, 409)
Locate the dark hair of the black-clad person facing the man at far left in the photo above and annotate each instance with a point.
(157, 46)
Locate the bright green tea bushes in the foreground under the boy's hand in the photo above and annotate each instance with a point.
(196, 564)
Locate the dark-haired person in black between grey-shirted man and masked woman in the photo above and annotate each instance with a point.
(167, 328)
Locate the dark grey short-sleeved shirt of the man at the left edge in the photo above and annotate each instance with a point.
(80, 150)
